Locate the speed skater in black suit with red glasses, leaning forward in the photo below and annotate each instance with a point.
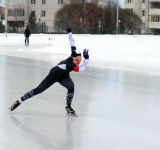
(60, 73)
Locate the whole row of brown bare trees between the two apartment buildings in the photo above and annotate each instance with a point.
(94, 17)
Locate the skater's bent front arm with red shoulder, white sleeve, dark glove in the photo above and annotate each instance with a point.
(83, 67)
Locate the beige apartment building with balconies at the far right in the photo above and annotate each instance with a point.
(149, 11)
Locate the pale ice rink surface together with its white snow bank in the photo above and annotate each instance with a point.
(117, 99)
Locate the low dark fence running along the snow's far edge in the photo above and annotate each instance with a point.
(75, 30)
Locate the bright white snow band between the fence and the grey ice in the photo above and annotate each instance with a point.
(122, 52)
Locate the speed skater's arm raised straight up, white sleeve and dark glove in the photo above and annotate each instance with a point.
(71, 40)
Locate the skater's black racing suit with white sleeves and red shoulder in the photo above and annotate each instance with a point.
(60, 73)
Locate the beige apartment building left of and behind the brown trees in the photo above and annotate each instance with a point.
(44, 9)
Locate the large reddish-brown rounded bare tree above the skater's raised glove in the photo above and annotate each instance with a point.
(72, 13)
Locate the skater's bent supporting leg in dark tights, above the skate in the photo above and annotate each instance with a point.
(68, 83)
